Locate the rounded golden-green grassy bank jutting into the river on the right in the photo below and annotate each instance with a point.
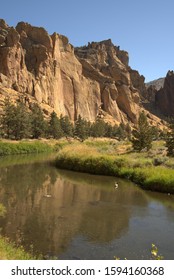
(151, 170)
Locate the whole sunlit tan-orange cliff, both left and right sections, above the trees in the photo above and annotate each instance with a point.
(92, 80)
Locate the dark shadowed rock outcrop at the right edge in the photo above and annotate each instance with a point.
(164, 98)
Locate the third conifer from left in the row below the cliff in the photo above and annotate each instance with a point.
(38, 124)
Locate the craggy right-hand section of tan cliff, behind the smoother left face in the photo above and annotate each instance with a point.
(108, 65)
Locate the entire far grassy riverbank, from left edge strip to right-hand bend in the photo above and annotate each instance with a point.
(152, 170)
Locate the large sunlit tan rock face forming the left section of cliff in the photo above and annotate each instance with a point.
(45, 67)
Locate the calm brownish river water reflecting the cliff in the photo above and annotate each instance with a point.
(71, 215)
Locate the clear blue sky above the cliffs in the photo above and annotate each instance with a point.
(144, 28)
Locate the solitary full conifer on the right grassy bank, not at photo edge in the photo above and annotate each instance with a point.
(143, 135)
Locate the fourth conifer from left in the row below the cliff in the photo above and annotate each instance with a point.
(55, 129)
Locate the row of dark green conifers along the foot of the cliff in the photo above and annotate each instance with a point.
(18, 122)
